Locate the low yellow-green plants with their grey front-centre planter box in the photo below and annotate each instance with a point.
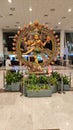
(38, 91)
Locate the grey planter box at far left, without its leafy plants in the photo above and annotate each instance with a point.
(13, 87)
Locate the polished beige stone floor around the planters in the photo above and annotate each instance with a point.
(22, 113)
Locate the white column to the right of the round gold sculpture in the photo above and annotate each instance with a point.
(62, 43)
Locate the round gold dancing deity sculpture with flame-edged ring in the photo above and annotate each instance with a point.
(36, 40)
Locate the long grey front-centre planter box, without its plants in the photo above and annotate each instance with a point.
(40, 93)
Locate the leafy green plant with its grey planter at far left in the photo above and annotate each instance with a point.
(13, 80)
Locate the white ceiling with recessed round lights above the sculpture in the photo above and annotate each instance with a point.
(40, 8)
